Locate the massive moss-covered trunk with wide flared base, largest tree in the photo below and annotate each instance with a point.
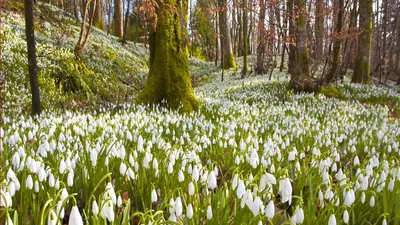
(169, 68)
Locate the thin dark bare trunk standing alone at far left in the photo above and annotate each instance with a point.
(32, 63)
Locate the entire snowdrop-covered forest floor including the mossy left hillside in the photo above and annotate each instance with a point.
(254, 151)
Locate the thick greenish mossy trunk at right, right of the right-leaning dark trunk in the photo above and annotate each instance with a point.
(362, 66)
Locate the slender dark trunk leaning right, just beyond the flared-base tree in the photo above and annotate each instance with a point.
(333, 72)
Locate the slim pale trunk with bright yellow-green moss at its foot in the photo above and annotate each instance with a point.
(229, 59)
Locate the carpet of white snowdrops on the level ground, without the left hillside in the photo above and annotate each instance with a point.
(254, 153)
